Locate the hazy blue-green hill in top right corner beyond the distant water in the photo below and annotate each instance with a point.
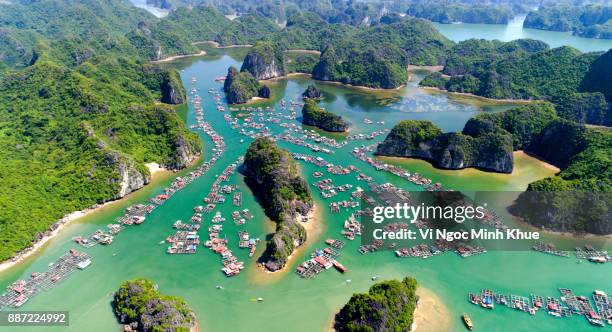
(590, 21)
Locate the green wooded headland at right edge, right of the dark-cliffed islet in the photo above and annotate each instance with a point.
(578, 199)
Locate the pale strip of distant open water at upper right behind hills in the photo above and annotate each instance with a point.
(514, 30)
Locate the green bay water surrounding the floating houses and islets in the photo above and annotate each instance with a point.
(291, 303)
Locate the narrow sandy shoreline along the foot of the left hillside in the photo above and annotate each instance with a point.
(54, 229)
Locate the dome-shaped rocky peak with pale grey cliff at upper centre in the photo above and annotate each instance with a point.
(264, 61)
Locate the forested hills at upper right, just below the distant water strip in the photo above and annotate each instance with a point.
(527, 69)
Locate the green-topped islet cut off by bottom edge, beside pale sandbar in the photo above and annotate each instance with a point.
(387, 306)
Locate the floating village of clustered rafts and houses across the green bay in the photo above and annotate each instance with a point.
(185, 236)
